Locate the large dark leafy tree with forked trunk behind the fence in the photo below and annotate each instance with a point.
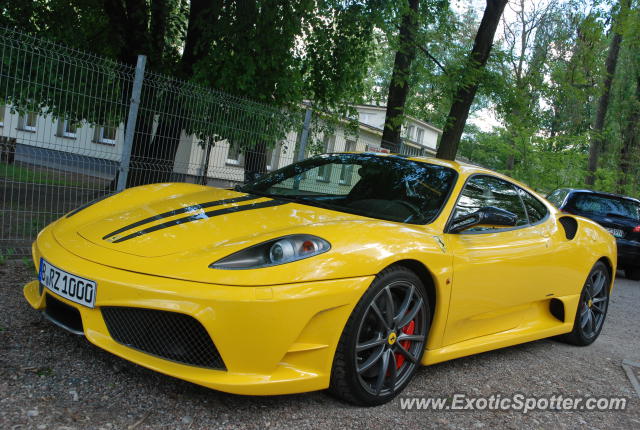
(278, 53)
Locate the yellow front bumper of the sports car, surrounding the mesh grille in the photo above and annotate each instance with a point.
(273, 339)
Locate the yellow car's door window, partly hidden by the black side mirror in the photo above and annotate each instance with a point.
(481, 191)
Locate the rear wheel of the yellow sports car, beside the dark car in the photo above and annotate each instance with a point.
(592, 308)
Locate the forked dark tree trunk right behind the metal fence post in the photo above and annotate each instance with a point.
(153, 154)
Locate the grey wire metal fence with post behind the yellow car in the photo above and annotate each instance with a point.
(74, 127)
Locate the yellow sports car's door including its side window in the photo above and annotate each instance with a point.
(494, 280)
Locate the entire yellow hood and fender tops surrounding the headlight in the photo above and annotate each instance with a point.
(178, 230)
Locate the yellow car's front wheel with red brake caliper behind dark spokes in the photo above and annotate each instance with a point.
(379, 351)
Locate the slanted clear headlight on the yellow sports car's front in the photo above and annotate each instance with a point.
(274, 252)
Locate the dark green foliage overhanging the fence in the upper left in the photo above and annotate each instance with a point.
(278, 54)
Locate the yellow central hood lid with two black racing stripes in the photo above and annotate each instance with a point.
(209, 218)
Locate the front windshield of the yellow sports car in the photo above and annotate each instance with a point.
(384, 187)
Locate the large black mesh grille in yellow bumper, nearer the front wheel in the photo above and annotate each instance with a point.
(170, 335)
